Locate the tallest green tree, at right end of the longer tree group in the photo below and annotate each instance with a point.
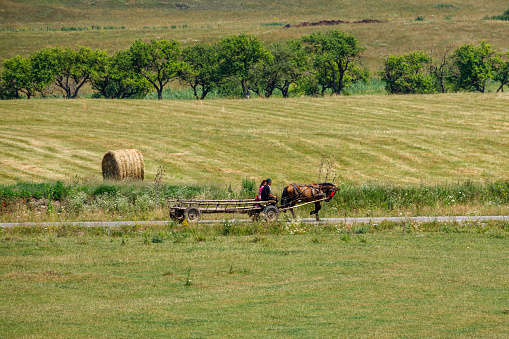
(334, 54)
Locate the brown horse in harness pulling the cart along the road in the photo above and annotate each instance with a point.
(294, 193)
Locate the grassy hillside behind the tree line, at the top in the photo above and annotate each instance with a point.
(210, 21)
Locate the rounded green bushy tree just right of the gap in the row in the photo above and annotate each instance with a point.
(407, 74)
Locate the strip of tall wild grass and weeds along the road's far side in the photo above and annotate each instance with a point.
(58, 202)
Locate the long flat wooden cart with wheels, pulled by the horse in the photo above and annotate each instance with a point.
(191, 210)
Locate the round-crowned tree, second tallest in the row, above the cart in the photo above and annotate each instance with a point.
(238, 54)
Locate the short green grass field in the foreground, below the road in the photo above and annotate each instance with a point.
(196, 282)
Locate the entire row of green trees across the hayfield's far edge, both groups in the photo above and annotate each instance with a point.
(315, 64)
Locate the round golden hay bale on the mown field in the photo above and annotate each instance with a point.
(123, 164)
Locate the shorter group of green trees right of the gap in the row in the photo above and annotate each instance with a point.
(467, 68)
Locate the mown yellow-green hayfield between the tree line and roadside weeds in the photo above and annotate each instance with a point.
(404, 139)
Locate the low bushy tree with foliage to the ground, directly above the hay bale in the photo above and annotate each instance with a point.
(117, 81)
